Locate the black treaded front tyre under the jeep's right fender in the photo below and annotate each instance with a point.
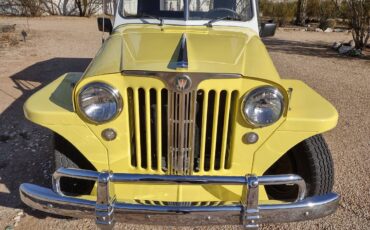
(310, 159)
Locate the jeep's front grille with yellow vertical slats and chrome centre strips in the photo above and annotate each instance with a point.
(181, 133)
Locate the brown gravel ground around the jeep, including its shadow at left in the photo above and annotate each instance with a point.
(57, 45)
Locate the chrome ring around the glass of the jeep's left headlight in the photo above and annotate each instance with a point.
(111, 90)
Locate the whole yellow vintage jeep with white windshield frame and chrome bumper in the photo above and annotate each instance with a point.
(182, 119)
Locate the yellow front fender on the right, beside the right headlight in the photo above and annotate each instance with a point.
(308, 114)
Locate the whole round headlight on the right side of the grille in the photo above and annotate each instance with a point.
(263, 106)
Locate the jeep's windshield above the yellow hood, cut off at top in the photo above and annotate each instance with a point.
(237, 10)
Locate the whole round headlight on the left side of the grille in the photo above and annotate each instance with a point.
(99, 102)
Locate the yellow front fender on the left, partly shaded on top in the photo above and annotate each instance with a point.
(52, 107)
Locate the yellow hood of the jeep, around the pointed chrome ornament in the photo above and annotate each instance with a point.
(210, 50)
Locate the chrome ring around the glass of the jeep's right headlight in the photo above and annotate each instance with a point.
(257, 91)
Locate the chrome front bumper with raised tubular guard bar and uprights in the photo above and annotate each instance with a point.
(106, 210)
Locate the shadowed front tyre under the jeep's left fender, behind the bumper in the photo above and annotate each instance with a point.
(67, 156)
